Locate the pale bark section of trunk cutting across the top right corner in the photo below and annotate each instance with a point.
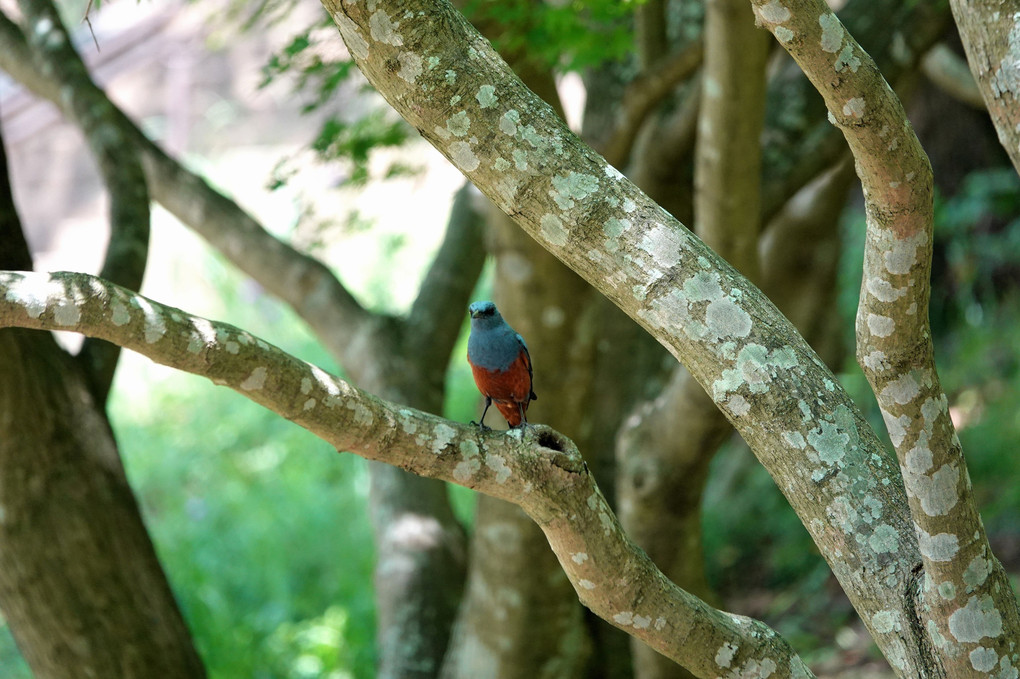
(991, 34)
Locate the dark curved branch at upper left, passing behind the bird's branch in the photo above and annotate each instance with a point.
(109, 136)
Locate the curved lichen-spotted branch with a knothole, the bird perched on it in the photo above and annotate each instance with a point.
(538, 469)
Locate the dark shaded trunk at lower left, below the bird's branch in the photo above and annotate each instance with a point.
(80, 583)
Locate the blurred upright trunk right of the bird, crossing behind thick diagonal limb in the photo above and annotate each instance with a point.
(666, 449)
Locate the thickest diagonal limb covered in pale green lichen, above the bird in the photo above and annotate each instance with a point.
(775, 390)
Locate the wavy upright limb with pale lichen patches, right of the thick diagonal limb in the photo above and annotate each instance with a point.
(895, 341)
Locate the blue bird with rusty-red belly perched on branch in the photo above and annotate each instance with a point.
(501, 364)
